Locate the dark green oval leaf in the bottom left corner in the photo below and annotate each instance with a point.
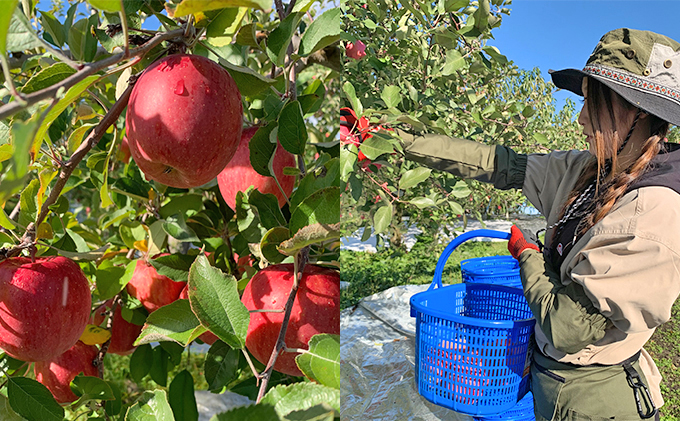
(32, 400)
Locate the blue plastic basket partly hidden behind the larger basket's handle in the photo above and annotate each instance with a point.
(499, 270)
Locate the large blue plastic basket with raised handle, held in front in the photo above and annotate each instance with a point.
(472, 341)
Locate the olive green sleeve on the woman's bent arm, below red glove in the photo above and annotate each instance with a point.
(564, 313)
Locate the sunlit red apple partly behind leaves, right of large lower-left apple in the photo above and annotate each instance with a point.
(152, 289)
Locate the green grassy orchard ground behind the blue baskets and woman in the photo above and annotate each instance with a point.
(365, 272)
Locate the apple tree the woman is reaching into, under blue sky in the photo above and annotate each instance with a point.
(431, 67)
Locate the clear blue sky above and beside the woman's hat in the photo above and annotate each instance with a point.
(559, 34)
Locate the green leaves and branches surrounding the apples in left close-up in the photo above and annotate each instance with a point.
(67, 187)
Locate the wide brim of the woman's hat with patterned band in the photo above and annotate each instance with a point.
(571, 80)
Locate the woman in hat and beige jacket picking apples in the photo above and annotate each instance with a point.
(609, 272)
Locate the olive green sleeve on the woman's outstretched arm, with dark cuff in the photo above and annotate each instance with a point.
(495, 164)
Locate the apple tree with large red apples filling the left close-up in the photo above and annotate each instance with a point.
(165, 263)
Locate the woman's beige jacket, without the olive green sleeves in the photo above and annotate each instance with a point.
(628, 263)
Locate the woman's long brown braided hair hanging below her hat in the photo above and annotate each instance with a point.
(608, 192)
